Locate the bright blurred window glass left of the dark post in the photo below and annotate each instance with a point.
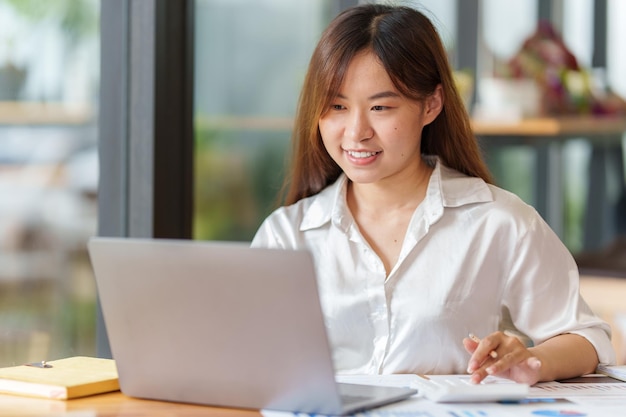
(49, 58)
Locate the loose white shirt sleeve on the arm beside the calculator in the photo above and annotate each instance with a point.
(542, 293)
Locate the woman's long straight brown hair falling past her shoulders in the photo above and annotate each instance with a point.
(408, 46)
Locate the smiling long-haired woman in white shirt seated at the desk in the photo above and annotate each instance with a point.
(414, 247)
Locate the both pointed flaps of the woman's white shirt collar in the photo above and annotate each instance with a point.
(446, 188)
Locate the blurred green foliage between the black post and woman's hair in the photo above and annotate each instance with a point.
(238, 175)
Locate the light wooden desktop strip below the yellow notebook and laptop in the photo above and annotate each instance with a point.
(110, 405)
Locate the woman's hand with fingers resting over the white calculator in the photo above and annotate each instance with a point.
(511, 359)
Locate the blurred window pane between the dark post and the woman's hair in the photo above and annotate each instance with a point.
(251, 58)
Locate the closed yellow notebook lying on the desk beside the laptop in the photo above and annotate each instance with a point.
(62, 379)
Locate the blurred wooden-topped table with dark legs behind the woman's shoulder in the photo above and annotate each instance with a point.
(546, 136)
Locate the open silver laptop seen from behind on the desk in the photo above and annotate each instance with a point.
(221, 324)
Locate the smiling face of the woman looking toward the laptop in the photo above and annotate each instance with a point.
(371, 130)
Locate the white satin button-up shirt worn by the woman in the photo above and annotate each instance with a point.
(475, 258)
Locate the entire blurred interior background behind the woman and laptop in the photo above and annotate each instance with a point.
(542, 79)
